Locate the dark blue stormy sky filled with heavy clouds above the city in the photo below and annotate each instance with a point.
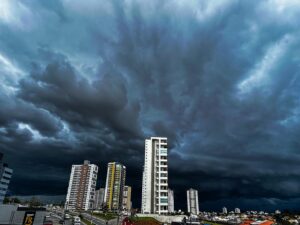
(92, 79)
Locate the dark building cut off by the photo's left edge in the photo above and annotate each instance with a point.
(5, 177)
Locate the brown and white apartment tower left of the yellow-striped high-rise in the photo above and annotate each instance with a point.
(82, 185)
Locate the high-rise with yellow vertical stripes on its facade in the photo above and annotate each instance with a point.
(115, 182)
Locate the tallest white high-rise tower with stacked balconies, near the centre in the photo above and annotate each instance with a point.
(155, 176)
